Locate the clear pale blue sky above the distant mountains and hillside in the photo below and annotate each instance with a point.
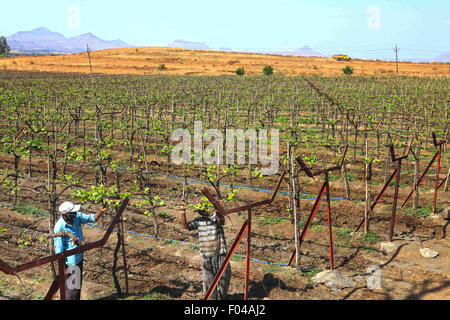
(368, 29)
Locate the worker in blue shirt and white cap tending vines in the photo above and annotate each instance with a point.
(70, 223)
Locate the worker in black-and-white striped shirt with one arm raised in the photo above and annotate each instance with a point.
(213, 247)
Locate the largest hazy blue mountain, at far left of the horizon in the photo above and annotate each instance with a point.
(45, 40)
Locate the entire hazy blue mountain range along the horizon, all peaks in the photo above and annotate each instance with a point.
(43, 41)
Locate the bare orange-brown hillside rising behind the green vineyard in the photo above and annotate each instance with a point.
(145, 61)
